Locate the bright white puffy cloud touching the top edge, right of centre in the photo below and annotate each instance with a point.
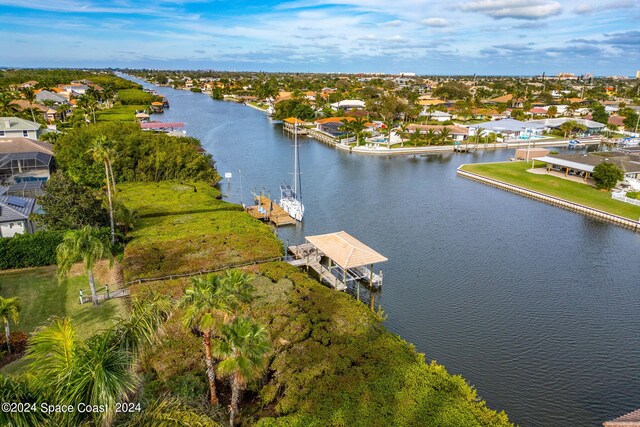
(517, 9)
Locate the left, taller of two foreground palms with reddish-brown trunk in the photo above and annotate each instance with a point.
(211, 302)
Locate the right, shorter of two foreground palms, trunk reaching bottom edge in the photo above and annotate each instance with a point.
(242, 348)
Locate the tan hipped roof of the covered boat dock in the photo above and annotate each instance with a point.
(345, 250)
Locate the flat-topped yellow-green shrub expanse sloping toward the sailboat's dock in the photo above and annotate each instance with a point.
(184, 231)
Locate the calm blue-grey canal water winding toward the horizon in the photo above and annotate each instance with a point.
(537, 307)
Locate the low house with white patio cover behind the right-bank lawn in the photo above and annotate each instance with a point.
(582, 165)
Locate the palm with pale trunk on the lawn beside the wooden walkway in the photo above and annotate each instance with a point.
(82, 244)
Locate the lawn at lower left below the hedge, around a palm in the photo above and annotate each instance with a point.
(43, 296)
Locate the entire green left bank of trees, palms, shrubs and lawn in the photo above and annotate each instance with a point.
(186, 317)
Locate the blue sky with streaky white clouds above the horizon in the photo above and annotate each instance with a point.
(484, 37)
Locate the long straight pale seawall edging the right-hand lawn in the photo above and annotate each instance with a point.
(556, 201)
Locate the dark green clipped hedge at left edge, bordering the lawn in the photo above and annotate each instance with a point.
(29, 250)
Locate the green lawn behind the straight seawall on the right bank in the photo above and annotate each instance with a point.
(515, 173)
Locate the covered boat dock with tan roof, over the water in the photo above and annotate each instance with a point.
(339, 260)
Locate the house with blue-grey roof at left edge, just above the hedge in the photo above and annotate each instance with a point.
(14, 214)
